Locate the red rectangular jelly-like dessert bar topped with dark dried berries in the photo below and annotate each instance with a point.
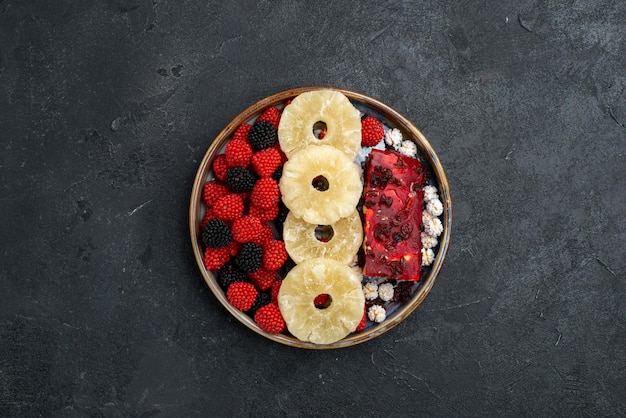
(392, 210)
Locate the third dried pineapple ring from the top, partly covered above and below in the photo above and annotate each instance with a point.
(339, 241)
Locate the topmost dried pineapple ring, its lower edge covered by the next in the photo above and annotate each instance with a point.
(342, 120)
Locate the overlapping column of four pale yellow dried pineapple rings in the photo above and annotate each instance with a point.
(321, 187)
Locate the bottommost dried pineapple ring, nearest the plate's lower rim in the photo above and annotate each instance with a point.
(310, 279)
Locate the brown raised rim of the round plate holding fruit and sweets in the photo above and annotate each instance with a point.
(389, 117)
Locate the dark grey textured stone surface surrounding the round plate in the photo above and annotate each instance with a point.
(107, 107)
